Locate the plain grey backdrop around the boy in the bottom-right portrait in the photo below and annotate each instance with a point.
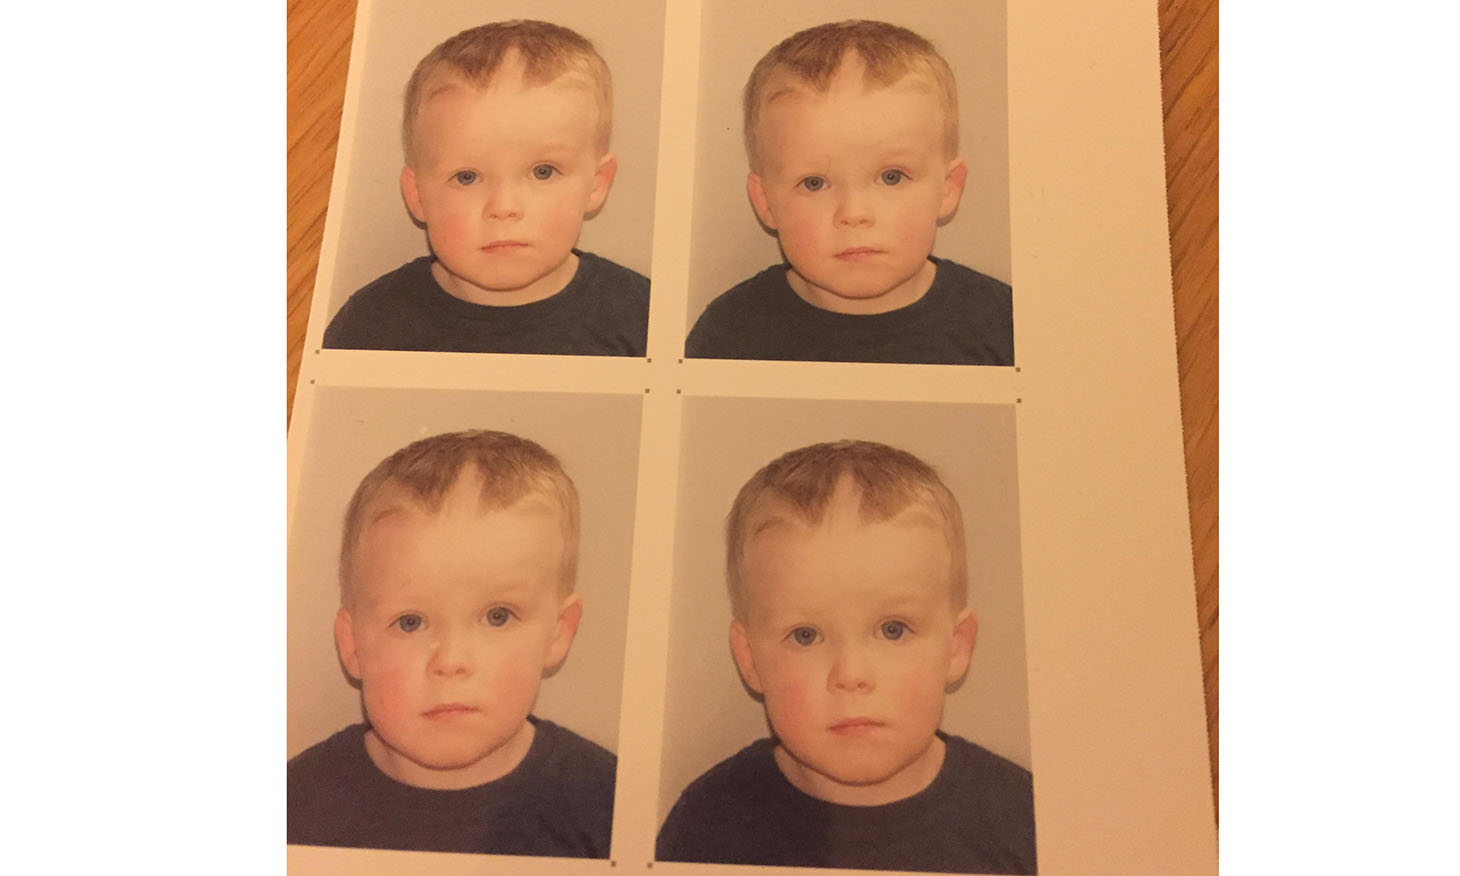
(709, 715)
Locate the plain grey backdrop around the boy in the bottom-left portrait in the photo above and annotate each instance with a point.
(595, 436)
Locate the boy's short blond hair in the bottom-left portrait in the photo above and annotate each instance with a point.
(510, 468)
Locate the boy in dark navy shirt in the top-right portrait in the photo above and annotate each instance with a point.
(852, 135)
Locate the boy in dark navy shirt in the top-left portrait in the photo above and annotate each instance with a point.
(506, 135)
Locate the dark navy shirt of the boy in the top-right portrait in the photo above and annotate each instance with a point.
(964, 319)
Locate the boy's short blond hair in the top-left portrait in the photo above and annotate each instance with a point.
(474, 56)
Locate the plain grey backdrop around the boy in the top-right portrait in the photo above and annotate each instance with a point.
(728, 242)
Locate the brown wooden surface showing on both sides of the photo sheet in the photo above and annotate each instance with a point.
(319, 58)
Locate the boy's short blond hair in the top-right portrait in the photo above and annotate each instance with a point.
(811, 59)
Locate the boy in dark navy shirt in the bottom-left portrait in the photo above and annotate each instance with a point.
(458, 576)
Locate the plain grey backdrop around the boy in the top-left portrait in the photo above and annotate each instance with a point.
(377, 233)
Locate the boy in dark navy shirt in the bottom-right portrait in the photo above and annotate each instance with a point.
(849, 592)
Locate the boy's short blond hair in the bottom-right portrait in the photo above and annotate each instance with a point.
(888, 481)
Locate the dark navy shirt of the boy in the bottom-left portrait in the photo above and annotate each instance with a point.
(557, 802)
